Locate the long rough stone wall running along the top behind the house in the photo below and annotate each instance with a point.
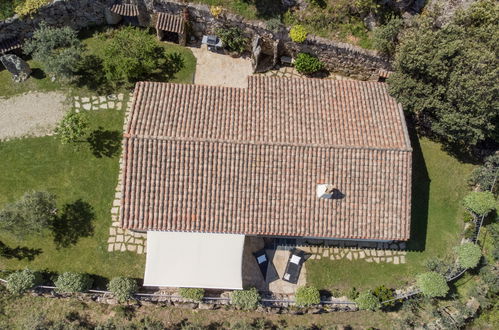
(339, 57)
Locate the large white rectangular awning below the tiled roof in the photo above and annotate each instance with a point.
(194, 260)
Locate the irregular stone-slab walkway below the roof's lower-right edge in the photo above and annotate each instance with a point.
(369, 255)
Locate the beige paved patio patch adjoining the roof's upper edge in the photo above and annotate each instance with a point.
(220, 70)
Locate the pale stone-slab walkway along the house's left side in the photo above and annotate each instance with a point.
(123, 239)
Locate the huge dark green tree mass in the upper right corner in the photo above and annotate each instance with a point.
(447, 77)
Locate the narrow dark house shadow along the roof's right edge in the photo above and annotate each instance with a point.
(420, 196)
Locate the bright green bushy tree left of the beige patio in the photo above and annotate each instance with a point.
(133, 54)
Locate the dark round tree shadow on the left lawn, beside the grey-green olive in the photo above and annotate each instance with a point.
(74, 222)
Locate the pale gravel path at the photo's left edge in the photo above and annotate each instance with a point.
(32, 114)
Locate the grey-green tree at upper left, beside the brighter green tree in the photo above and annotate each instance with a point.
(57, 49)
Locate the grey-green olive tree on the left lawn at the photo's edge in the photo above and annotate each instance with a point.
(34, 212)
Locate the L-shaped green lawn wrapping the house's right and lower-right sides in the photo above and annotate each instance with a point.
(437, 225)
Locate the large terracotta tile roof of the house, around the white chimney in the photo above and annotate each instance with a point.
(217, 159)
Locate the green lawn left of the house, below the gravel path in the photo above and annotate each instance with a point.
(45, 164)
